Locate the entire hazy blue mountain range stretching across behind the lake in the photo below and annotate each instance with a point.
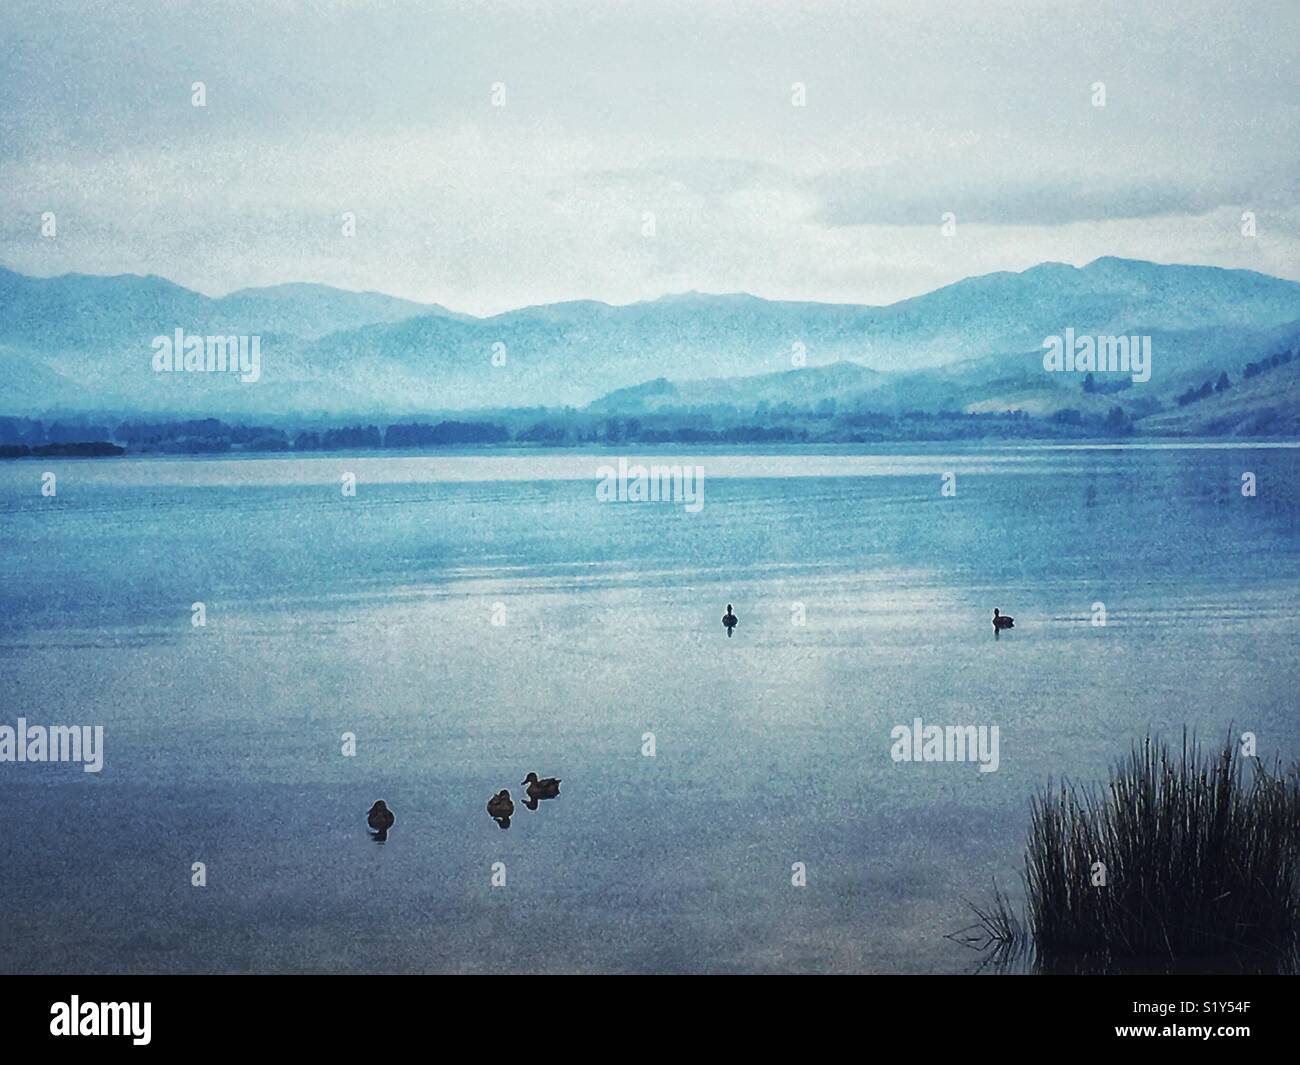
(85, 344)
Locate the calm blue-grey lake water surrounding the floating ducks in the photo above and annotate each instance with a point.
(375, 616)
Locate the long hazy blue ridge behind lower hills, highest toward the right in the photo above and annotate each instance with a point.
(575, 353)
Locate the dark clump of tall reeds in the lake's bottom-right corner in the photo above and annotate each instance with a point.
(1181, 855)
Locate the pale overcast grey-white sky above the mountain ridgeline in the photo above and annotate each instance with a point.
(616, 112)
